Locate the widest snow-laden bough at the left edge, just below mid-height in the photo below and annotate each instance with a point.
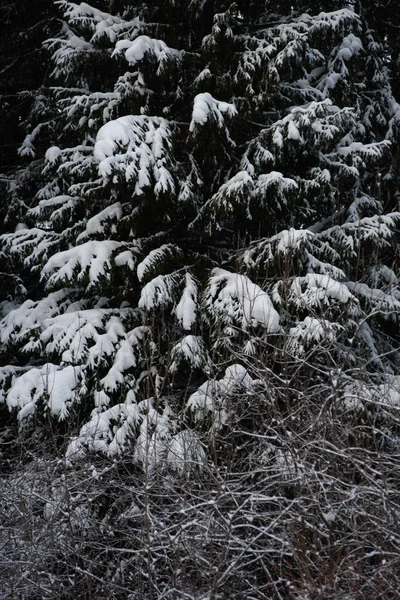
(93, 338)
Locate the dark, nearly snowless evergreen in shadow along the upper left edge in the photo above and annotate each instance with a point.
(25, 25)
